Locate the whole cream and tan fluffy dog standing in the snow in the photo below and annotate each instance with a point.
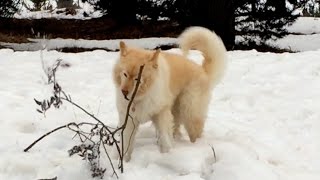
(173, 91)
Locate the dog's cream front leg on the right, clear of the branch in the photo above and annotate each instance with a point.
(163, 122)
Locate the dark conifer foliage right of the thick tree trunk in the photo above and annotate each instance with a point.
(260, 20)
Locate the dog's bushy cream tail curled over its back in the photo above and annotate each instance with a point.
(212, 48)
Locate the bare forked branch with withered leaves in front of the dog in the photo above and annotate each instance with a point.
(105, 133)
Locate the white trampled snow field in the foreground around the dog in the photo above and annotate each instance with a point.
(263, 120)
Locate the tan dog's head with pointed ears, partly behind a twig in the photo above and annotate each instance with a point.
(126, 70)
